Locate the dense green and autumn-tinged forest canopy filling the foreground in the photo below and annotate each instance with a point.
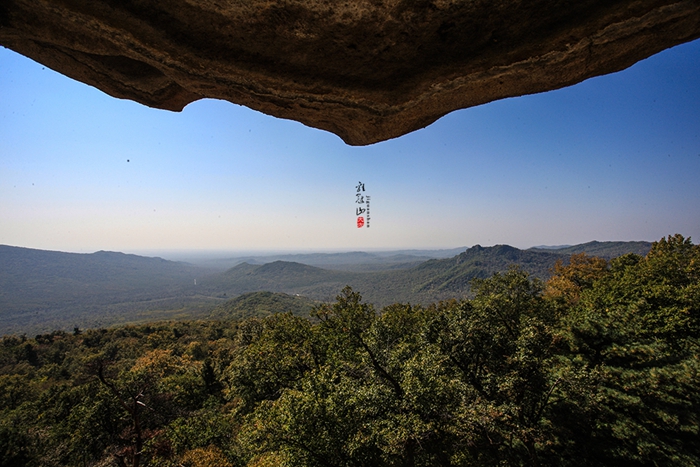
(599, 365)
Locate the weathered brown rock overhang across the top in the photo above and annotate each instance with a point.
(367, 70)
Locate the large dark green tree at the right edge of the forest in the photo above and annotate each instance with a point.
(636, 331)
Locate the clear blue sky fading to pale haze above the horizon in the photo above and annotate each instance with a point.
(613, 158)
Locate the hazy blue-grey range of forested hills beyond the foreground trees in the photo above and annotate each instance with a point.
(46, 290)
